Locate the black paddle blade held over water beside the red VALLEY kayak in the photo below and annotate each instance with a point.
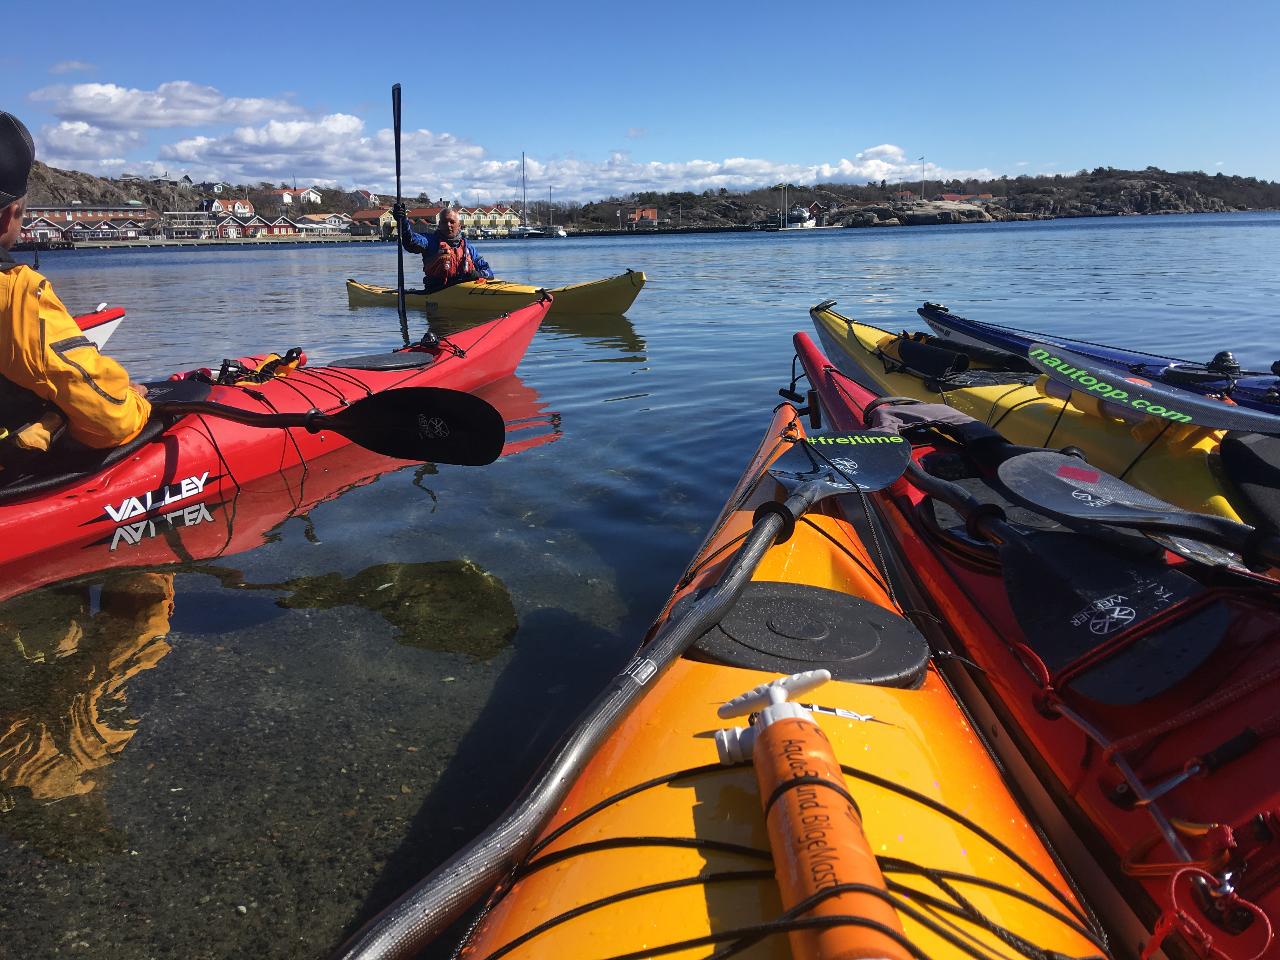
(422, 423)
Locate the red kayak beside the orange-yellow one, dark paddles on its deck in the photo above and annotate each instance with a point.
(1130, 691)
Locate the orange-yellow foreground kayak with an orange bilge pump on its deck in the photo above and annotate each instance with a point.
(666, 842)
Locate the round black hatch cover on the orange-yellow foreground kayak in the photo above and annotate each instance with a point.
(794, 628)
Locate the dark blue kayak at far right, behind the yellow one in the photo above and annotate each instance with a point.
(1219, 377)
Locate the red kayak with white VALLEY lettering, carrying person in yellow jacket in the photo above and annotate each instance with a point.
(166, 479)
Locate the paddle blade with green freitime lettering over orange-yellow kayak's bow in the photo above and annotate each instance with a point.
(870, 460)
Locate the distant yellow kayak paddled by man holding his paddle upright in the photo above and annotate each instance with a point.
(614, 295)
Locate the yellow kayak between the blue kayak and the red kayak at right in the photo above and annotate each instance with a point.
(1176, 463)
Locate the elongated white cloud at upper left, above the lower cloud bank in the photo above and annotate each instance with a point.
(175, 104)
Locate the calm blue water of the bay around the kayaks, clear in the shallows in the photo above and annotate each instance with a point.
(323, 719)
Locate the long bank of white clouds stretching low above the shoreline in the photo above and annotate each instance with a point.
(271, 139)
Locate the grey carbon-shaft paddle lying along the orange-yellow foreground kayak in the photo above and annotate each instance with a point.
(409, 925)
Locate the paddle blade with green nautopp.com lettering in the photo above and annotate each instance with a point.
(1142, 396)
